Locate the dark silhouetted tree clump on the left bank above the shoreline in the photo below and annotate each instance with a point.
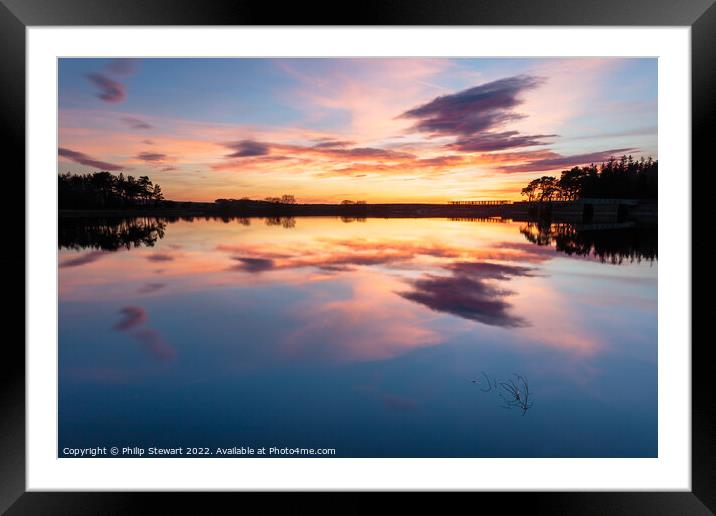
(105, 190)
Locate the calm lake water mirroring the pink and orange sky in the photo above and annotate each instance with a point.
(377, 337)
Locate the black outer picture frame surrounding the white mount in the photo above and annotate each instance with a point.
(17, 15)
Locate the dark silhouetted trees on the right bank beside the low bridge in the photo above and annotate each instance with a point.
(623, 178)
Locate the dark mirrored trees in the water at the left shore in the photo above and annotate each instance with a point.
(110, 234)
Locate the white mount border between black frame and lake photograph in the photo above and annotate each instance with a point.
(671, 471)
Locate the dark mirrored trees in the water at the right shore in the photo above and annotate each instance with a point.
(615, 245)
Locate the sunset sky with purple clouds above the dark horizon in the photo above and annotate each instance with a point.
(380, 130)
